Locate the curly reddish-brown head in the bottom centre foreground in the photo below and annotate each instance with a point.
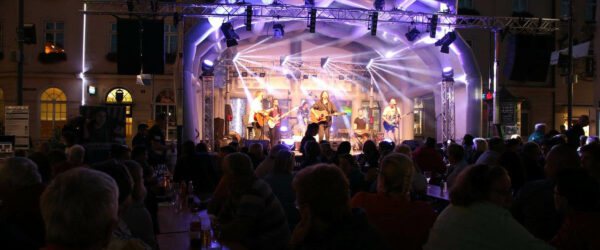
(322, 191)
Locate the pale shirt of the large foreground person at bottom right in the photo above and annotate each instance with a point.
(479, 226)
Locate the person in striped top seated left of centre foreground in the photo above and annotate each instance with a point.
(251, 215)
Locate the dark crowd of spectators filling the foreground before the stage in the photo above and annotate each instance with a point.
(541, 193)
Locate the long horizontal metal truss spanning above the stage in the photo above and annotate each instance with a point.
(292, 12)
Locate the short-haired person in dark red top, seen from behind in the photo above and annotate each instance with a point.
(403, 224)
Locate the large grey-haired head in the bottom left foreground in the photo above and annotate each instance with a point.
(80, 209)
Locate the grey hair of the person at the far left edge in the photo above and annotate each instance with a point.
(19, 172)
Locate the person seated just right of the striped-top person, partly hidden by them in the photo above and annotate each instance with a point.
(280, 179)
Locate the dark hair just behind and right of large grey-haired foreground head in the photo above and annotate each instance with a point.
(123, 179)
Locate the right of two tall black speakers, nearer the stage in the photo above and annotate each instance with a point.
(153, 47)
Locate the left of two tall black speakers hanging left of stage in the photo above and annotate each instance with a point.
(128, 47)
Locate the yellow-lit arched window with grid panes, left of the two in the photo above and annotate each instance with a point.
(53, 111)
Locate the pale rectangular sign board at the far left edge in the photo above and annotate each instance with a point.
(16, 123)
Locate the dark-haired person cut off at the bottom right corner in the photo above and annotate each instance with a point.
(576, 196)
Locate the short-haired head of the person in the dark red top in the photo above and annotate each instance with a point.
(395, 177)
